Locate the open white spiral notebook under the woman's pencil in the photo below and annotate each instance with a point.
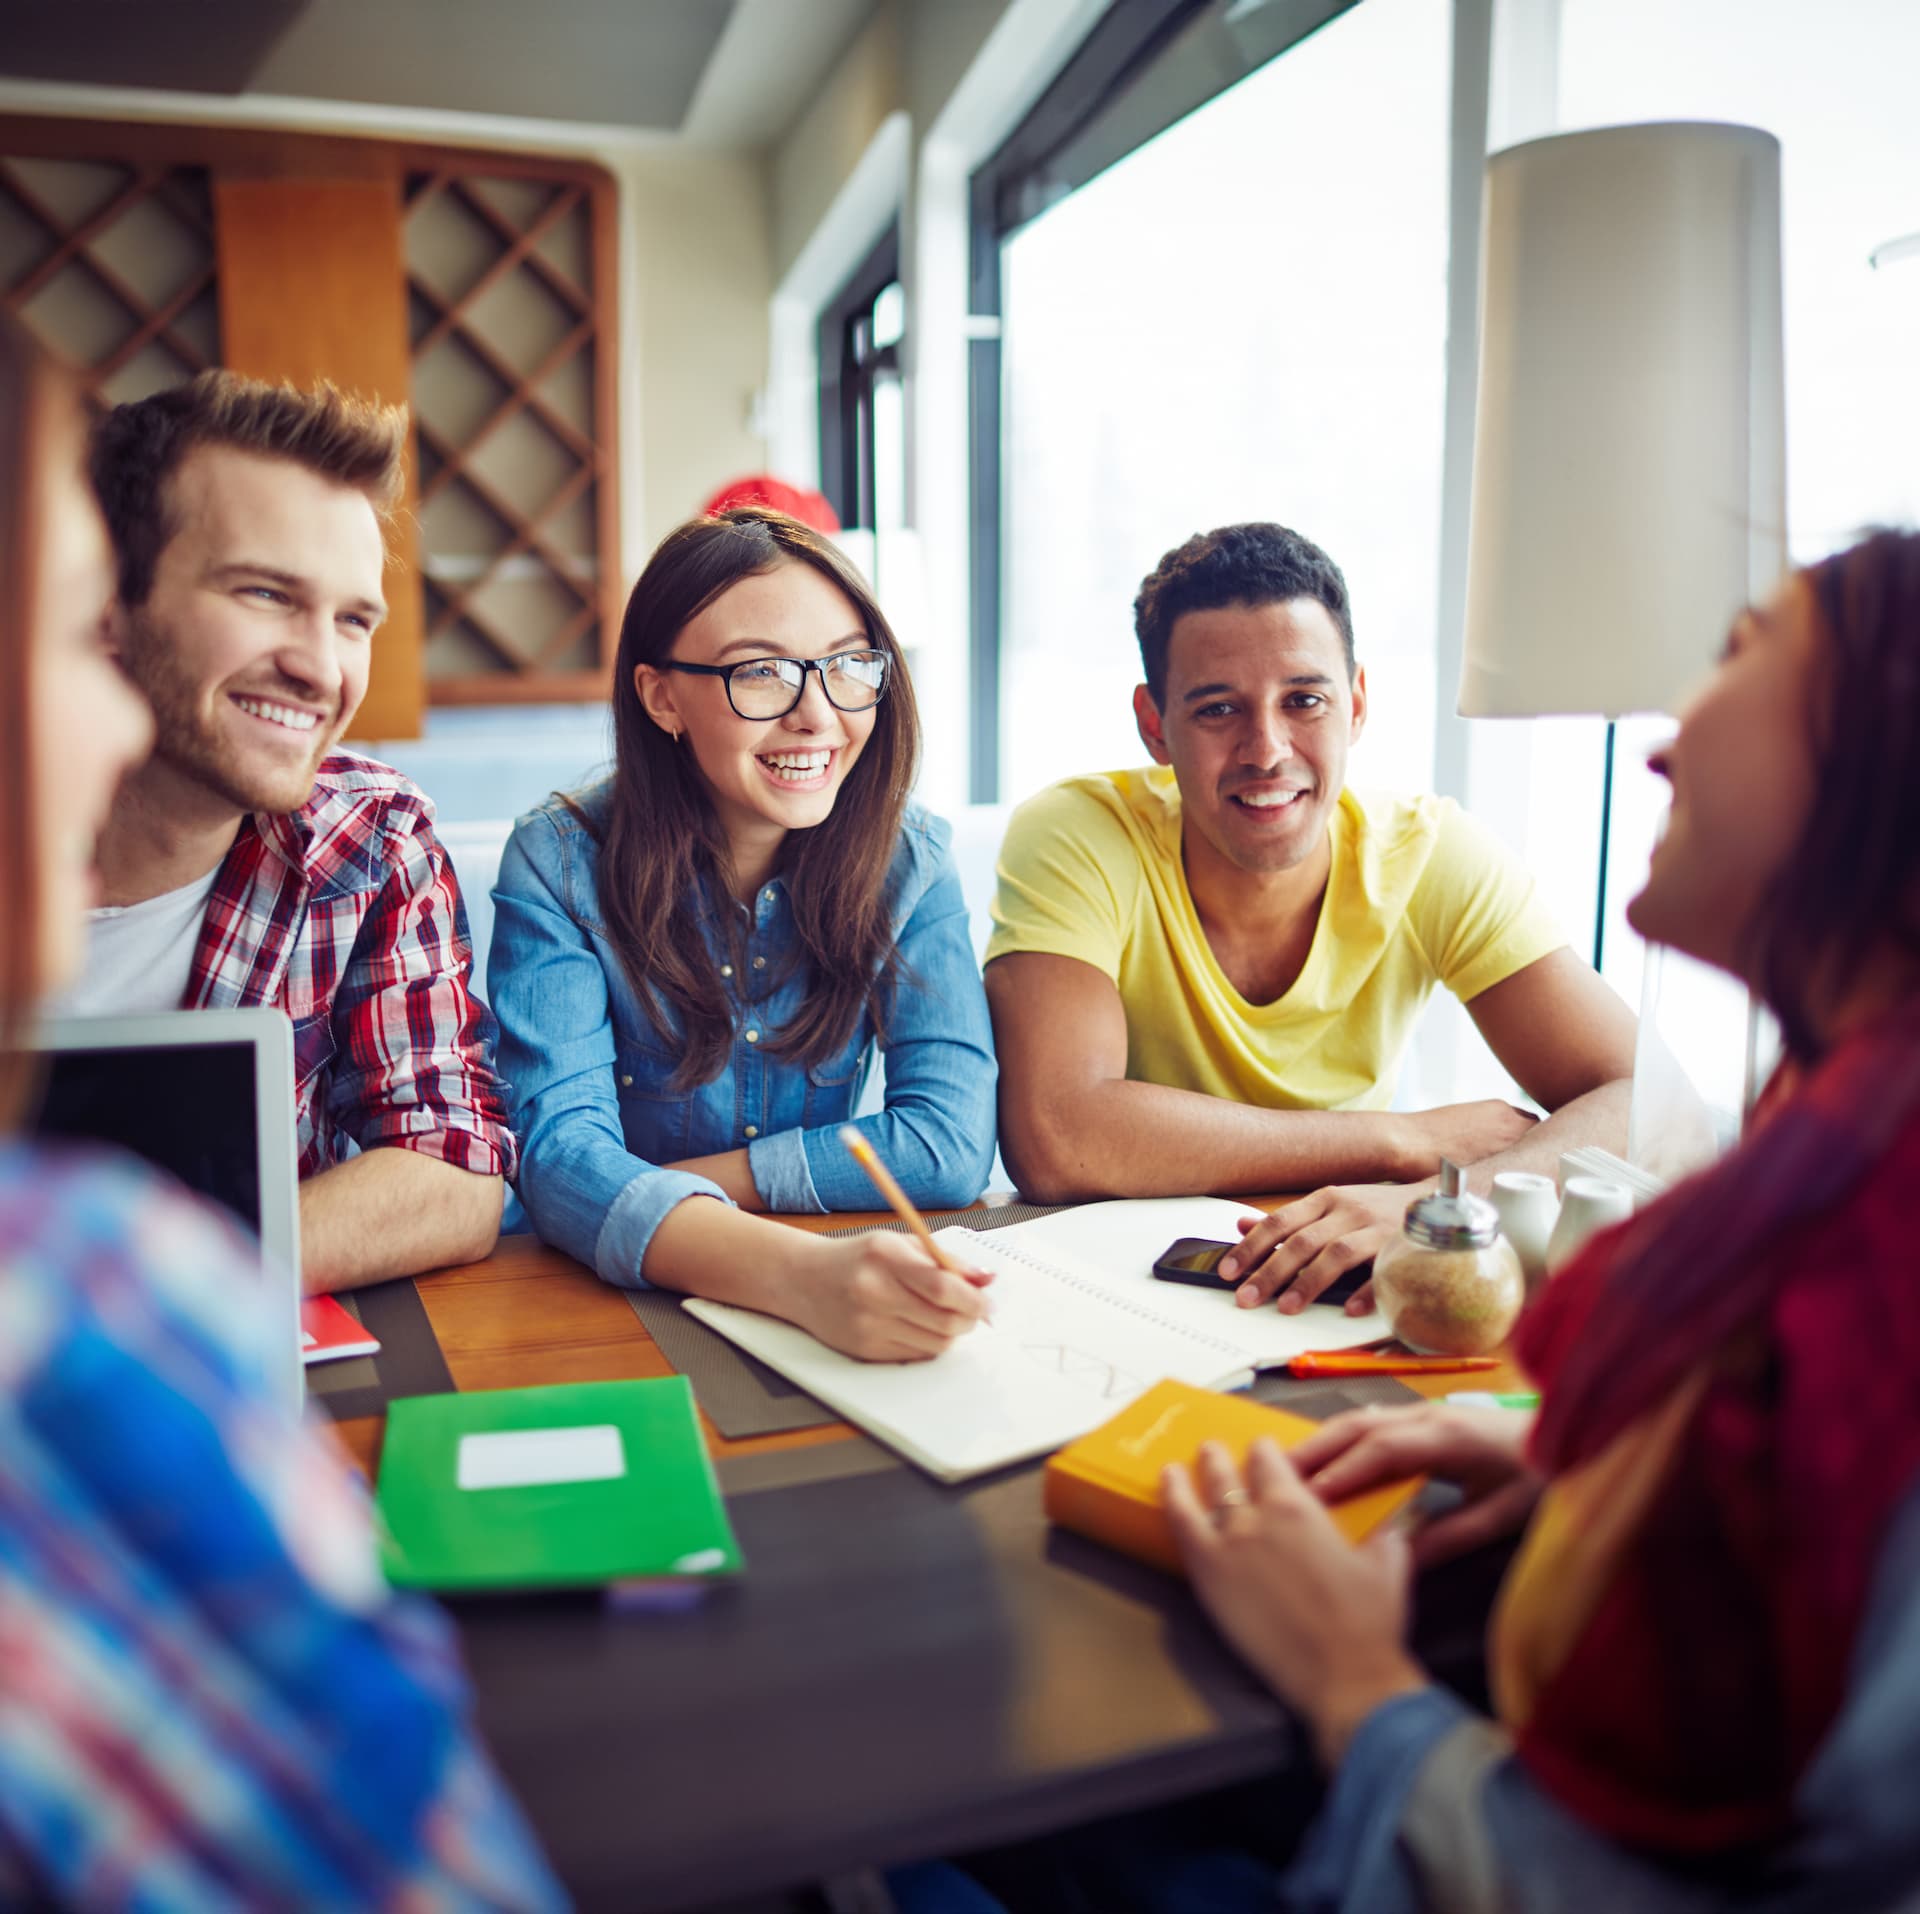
(1080, 1329)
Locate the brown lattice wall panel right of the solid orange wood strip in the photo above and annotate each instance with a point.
(508, 366)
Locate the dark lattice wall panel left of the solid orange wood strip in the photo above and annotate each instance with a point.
(112, 268)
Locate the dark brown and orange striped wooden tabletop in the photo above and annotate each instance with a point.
(903, 1671)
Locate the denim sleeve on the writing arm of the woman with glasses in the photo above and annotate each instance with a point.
(585, 1191)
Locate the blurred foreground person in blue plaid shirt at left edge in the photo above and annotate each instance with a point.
(208, 1694)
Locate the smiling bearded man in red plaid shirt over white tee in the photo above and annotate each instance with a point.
(254, 863)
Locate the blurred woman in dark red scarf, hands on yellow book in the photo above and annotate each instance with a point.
(1706, 1660)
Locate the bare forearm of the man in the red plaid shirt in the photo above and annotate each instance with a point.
(395, 1212)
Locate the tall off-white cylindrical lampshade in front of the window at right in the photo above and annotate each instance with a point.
(1629, 473)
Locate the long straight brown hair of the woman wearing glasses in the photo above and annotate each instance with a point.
(665, 855)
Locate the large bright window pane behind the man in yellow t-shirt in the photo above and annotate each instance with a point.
(1241, 320)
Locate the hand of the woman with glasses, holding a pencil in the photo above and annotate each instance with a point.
(892, 1299)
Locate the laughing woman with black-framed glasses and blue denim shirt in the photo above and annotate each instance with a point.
(696, 961)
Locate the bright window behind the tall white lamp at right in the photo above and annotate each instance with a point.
(1835, 85)
